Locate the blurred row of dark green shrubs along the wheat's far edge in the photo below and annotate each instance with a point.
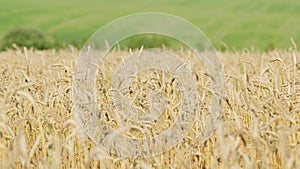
(37, 39)
